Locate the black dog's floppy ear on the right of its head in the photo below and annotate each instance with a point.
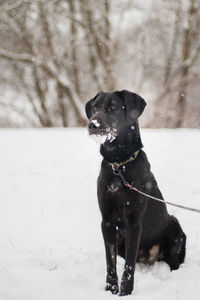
(134, 104)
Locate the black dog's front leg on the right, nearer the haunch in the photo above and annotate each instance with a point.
(133, 233)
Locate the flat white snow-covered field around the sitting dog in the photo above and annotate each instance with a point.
(51, 246)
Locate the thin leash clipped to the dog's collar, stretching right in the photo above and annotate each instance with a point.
(118, 172)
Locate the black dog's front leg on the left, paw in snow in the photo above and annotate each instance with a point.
(110, 239)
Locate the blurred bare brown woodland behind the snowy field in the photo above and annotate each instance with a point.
(57, 54)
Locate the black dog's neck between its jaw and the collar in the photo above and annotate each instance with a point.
(124, 146)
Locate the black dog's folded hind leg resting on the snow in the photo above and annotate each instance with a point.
(174, 245)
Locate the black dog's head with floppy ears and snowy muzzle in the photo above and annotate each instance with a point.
(111, 114)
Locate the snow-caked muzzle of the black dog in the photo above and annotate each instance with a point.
(101, 135)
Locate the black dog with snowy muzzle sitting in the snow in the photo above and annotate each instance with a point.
(135, 227)
